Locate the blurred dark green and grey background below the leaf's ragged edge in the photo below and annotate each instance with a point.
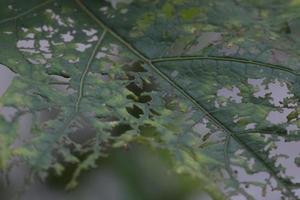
(136, 173)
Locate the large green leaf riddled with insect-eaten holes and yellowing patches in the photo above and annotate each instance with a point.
(195, 78)
